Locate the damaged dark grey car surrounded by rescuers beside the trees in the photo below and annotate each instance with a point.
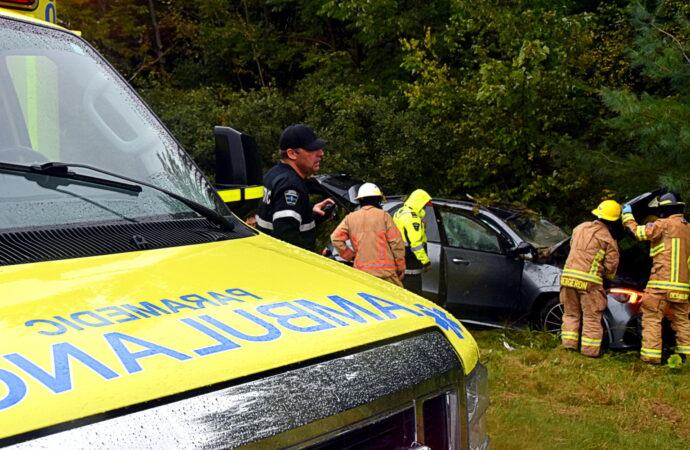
(500, 265)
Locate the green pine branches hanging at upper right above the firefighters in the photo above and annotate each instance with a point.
(647, 140)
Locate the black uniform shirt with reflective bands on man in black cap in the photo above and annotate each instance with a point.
(285, 211)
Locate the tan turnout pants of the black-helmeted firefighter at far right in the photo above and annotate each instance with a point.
(654, 304)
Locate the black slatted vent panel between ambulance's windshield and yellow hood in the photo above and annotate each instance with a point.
(30, 246)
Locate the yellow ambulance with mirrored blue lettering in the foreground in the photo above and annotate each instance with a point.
(137, 312)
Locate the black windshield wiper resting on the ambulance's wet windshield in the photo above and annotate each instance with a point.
(61, 170)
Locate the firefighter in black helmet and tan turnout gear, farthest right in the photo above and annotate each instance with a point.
(668, 286)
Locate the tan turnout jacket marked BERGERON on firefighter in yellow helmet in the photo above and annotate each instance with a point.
(593, 256)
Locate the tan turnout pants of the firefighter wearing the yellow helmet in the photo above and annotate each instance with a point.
(582, 308)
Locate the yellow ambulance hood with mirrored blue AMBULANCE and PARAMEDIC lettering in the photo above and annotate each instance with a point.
(84, 336)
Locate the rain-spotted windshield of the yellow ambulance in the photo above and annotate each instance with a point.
(60, 101)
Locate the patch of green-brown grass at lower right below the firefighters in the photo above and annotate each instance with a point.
(545, 397)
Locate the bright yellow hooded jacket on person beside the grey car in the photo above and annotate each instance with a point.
(409, 221)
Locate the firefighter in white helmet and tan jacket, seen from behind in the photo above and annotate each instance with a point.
(377, 246)
